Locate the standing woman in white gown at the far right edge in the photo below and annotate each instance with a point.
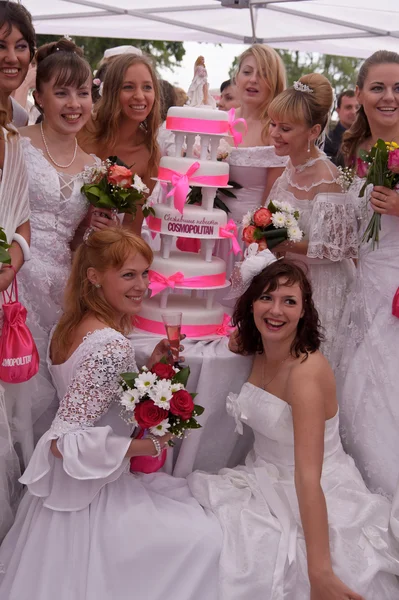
(368, 344)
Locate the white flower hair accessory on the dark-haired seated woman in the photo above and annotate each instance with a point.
(244, 271)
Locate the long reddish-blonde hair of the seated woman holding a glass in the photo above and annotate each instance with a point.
(107, 249)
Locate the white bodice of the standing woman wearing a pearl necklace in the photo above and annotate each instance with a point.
(57, 205)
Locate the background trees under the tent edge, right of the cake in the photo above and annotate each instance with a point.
(341, 71)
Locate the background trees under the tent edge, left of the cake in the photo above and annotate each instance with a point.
(165, 54)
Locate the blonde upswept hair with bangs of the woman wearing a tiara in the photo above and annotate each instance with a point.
(310, 107)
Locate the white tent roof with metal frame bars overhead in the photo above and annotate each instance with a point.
(345, 27)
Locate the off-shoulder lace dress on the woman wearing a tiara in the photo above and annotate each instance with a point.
(328, 220)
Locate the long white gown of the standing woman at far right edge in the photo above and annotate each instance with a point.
(367, 355)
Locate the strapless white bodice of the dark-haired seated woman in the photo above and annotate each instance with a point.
(270, 418)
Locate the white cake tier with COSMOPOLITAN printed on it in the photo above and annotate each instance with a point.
(195, 221)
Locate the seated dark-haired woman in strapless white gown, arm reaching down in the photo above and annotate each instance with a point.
(297, 519)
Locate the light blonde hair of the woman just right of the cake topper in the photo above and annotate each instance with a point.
(272, 70)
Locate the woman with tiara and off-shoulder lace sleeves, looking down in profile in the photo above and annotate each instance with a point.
(313, 186)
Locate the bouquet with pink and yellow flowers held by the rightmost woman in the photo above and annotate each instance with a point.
(380, 166)
